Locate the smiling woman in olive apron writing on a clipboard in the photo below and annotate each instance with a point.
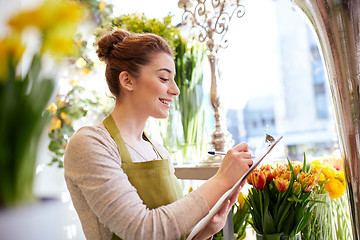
(123, 186)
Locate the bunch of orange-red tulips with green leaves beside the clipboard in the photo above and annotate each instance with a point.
(279, 200)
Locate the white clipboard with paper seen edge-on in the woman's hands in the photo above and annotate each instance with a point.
(226, 195)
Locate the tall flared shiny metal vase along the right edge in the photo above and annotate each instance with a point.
(337, 26)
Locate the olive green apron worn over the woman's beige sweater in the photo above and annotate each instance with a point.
(154, 181)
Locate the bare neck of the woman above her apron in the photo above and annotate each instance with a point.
(129, 122)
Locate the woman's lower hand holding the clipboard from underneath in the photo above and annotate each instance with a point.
(218, 221)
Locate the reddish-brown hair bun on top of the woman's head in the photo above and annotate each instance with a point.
(106, 43)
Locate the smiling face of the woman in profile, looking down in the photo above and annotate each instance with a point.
(154, 89)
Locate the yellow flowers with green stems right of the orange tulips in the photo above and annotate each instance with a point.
(331, 219)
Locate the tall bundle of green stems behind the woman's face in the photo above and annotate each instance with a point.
(189, 78)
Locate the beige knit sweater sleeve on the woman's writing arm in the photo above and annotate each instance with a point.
(93, 167)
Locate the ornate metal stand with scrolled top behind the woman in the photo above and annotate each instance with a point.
(212, 20)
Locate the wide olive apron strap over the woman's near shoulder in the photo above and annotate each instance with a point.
(110, 125)
